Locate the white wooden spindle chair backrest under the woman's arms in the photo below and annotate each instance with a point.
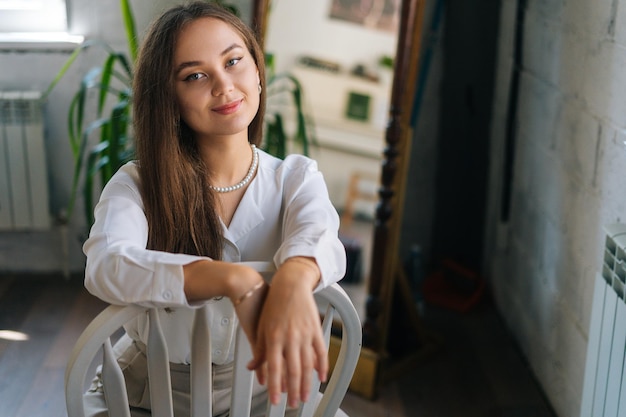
(96, 338)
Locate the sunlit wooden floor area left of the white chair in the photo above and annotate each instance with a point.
(49, 312)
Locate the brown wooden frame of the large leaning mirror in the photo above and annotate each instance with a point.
(387, 285)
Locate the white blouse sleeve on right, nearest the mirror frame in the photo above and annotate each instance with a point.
(311, 223)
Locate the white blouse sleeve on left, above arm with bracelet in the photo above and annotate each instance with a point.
(119, 269)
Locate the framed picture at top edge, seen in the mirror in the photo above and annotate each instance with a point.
(377, 14)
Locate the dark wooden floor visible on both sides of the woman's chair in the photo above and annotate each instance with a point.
(478, 372)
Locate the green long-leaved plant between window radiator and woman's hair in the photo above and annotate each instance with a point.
(112, 120)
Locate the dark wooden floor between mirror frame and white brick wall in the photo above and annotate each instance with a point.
(477, 372)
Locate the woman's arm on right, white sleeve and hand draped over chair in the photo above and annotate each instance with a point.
(290, 342)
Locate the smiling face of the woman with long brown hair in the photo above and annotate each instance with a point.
(216, 79)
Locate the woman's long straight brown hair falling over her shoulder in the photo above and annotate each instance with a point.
(179, 205)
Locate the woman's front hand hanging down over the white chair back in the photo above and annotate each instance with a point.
(290, 342)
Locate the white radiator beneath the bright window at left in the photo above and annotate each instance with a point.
(23, 173)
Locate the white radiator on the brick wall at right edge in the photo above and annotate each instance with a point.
(604, 390)
